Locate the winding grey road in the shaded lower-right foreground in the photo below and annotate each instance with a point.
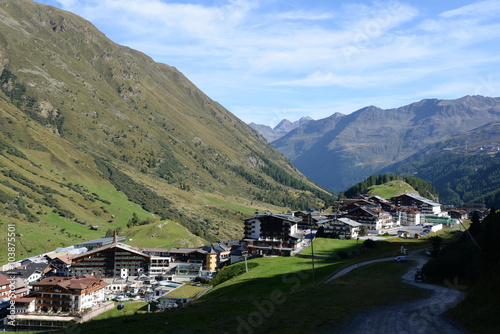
(420, 316)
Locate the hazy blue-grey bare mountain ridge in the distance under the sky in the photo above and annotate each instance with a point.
(339, 151)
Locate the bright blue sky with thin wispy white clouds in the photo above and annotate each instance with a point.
(267, 60)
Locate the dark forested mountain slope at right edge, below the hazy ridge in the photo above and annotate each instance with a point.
(464, 168)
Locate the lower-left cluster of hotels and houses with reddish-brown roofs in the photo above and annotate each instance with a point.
(73, 284)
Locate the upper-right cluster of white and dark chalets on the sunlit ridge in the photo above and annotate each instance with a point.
(282, 234)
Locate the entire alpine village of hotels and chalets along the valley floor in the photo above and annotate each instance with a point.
(76, 283)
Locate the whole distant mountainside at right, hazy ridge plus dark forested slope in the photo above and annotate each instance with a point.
(454, 144)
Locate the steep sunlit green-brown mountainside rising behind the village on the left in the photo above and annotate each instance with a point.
(106, 124)
